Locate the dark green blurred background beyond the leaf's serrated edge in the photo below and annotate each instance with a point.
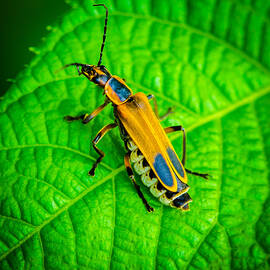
(22, 25)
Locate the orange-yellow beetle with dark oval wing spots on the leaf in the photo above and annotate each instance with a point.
(146, 142)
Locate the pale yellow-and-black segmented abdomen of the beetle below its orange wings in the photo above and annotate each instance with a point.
(179, 199)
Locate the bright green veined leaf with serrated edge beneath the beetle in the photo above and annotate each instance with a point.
(208, 59)
